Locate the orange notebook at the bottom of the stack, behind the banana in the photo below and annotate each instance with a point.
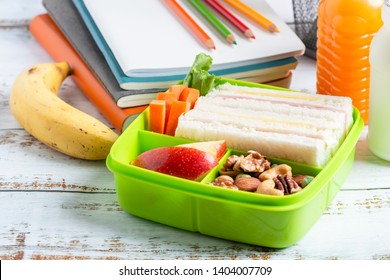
(54, 42)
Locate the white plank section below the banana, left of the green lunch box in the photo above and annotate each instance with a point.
(27, 164)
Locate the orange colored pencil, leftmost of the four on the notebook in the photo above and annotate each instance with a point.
(192, 25)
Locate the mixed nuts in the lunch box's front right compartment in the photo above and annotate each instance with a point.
(255, 173)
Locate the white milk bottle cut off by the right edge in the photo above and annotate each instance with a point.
(379, 117)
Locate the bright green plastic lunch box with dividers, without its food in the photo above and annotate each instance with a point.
(251, 218)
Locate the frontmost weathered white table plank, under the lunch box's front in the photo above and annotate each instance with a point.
(43, 225)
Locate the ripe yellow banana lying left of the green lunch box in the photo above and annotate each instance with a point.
(35, 104)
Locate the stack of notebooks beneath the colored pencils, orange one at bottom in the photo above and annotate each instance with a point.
(123, 52)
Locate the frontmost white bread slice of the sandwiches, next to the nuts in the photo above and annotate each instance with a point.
(285, 146)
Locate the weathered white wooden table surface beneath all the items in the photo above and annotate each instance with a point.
(56, 207)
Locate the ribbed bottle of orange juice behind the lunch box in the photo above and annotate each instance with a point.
(344, 34)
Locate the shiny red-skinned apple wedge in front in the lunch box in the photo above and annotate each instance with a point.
(184, 162)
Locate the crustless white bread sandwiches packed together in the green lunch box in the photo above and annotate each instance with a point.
(297, 126)
